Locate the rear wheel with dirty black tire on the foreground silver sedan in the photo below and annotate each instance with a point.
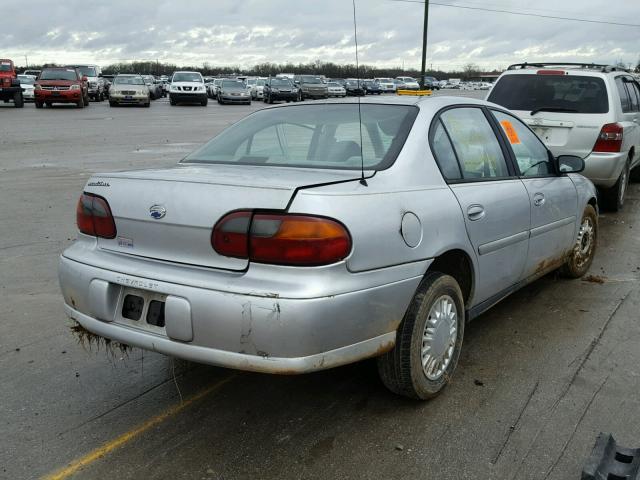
(401, 369)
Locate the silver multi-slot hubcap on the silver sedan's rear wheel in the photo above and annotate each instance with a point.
(439, 337)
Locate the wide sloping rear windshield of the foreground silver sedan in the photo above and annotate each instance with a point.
(313, 136)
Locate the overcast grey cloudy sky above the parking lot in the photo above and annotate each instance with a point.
(246, 32)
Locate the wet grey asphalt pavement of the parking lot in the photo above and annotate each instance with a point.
(540, 375)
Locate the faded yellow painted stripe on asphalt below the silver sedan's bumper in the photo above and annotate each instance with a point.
(126, 437)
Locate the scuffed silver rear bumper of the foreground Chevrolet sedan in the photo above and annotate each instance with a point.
(247, 331)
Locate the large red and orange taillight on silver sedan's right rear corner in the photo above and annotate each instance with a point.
(282, 239)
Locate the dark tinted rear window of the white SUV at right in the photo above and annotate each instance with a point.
(562, 93)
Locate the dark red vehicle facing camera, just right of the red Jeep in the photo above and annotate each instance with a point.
(61, 85)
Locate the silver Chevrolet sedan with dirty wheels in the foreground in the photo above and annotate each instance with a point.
(310, 236)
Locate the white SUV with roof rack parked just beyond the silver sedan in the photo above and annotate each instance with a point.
(588, 110)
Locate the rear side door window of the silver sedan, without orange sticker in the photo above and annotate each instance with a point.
(475, 144)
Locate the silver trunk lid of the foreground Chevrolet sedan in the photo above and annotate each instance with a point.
(168, 215)
